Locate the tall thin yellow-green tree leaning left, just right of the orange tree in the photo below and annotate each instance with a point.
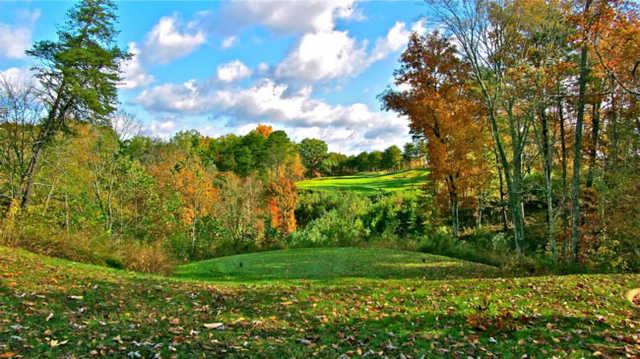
(489, 39)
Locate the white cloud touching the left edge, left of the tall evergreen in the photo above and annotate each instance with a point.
(16, 39)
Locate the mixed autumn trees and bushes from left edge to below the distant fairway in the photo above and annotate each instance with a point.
(141, 203)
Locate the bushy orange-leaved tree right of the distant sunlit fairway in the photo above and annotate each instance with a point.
(440, 110)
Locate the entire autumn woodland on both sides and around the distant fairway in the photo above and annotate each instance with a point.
(526, 114)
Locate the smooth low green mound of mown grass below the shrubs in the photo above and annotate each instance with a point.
(332, 264)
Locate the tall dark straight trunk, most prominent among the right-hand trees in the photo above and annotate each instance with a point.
(577, 152)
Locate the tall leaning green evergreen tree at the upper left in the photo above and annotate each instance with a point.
(78, 74)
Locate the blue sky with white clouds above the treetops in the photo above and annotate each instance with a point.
(313, 68)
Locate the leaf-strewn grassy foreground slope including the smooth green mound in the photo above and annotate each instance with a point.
(100, 311)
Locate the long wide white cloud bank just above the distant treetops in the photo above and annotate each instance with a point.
(348, 128)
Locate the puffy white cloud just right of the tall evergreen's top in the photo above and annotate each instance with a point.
(168, 40)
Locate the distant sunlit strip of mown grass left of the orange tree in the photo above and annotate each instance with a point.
(368, 182)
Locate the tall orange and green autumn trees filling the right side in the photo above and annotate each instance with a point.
(533, 105)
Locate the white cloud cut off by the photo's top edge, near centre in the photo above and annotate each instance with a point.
(290, 16)
